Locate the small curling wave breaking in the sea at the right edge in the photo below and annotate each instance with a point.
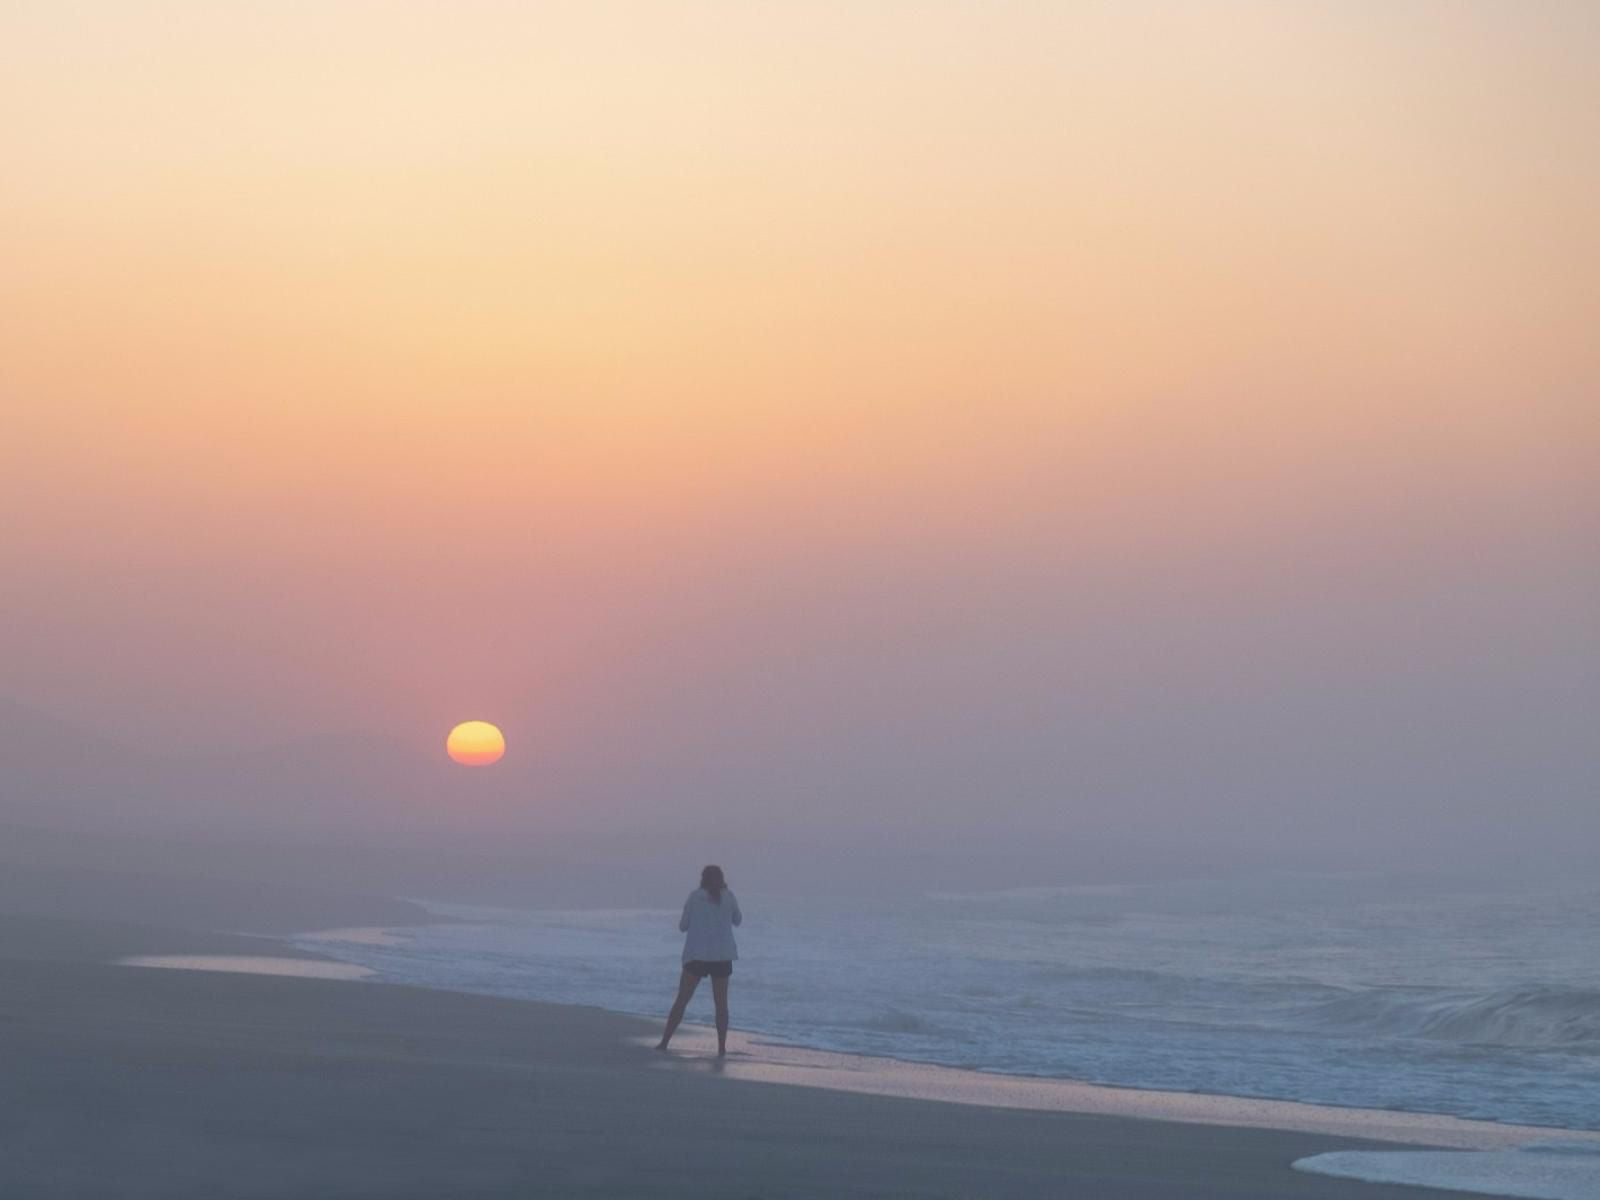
(1567, 1018)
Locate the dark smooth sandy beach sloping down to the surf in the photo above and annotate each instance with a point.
(135, 1082)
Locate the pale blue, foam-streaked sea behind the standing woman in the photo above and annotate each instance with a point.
(1418, 994)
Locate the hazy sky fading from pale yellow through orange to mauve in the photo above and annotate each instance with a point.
(1127, 422)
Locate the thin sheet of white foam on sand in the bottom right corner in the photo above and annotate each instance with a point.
(1566, 1170)
